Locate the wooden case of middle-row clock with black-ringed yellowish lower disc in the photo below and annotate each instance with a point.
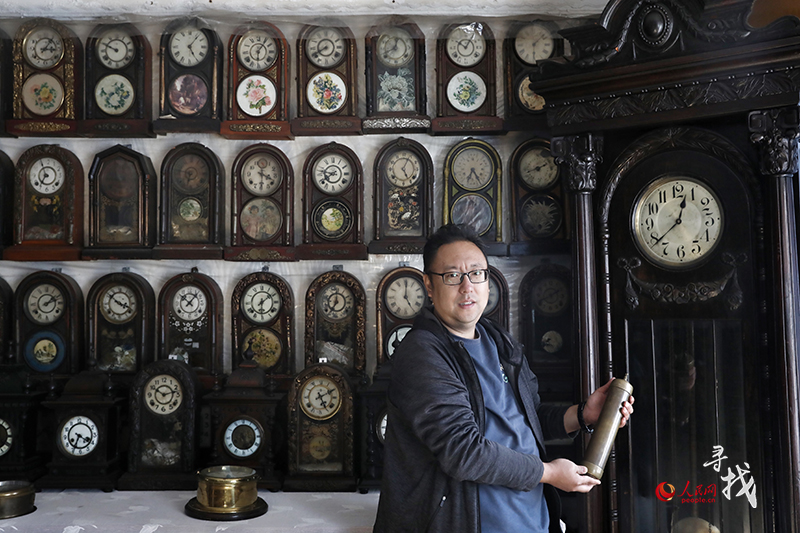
(351, 244)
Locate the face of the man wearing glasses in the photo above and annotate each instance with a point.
(458, 306)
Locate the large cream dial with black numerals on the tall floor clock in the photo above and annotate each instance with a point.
(677, 221)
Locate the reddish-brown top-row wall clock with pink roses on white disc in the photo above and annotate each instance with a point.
(258, 84)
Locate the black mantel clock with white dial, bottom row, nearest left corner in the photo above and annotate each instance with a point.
(85, 433)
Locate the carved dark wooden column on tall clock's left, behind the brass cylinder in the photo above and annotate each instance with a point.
(580, 155)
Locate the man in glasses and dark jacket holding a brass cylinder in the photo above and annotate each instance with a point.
(464, 445)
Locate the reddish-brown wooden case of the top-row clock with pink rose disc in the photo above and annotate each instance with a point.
(275, 124)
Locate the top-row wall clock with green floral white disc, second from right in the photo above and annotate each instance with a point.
(465, 81)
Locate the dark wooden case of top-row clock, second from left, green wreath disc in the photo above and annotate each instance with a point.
(136, 121)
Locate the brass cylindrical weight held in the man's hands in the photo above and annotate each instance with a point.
(605, 431)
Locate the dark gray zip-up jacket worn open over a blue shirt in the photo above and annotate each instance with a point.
(435, 452)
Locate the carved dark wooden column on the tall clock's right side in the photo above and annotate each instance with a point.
(775, 133)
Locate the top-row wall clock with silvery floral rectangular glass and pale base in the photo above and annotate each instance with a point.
(396, 89)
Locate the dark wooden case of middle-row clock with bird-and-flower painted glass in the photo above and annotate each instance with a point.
(417, 198)
